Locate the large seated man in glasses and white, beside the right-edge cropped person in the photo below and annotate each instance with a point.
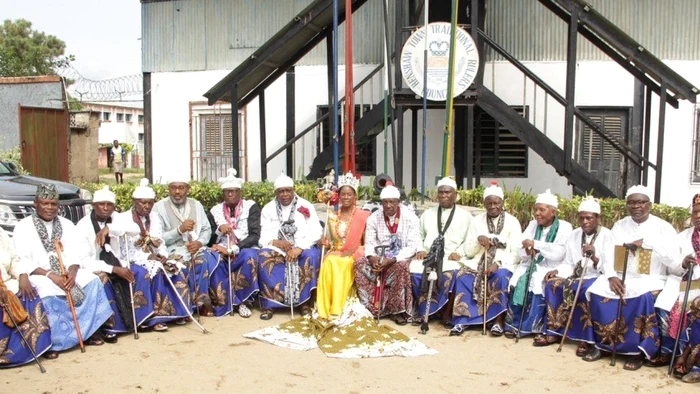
(639, 324)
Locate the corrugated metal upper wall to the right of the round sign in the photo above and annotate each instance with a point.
(526, 29)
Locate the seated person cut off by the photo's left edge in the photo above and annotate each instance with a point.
(18, 298)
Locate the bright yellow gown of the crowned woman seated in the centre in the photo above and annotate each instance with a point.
(336, 276)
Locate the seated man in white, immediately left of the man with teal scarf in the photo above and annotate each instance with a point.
(492, 239)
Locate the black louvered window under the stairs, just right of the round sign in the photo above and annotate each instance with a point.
(502, 154)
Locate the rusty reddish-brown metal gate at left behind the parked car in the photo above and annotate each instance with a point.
(43, 135)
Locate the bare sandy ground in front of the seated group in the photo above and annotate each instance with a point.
(183, 360)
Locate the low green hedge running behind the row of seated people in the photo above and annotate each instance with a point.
(518, 203)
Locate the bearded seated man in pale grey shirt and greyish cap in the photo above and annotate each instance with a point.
(186, 231)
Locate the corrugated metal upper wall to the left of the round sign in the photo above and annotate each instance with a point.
(220, 34)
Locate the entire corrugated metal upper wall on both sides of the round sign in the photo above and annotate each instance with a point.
(187, 35)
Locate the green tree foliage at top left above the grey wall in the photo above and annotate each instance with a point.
(26, 52)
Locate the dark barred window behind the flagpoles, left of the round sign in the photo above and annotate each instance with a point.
(365, 155)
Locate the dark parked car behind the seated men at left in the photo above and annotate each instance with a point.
(17, 193)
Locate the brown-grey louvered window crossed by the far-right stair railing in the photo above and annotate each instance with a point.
(595, 154)
